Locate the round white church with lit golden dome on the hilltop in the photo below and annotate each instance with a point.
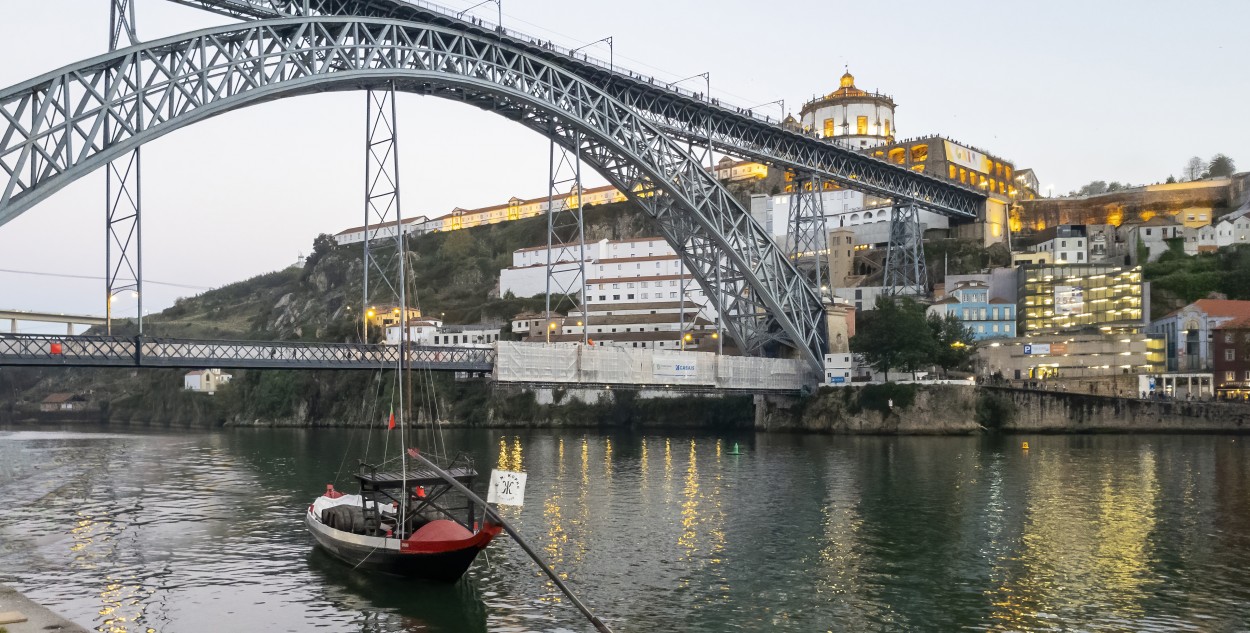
(856, 118)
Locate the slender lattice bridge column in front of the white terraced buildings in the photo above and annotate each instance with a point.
(567, 237)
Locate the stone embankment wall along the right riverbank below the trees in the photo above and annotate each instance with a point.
(959, 410)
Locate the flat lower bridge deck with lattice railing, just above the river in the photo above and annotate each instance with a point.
(33, 350)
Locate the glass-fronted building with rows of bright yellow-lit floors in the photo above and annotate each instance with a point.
(1076, 298)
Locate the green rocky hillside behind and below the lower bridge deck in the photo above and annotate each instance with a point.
(453, 275)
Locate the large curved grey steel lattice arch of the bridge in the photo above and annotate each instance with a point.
(191, 78)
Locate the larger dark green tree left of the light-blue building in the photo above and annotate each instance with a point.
(896, 336)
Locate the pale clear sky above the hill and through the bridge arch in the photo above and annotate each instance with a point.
(1111, 91)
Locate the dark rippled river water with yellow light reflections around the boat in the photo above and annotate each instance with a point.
(202, 532)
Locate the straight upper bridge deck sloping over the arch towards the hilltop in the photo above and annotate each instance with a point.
(679, 114)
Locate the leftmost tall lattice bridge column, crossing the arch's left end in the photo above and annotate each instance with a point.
(123, 246)
